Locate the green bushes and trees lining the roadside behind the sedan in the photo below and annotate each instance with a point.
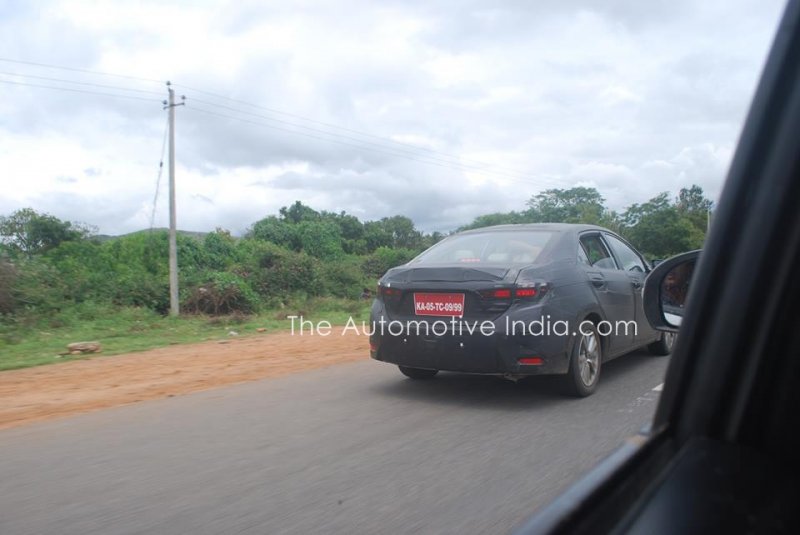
(53, 272)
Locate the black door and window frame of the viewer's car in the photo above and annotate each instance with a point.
(730, 394)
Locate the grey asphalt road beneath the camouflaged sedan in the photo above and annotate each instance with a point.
(354, 448)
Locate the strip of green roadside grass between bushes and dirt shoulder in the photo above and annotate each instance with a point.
(26, 342)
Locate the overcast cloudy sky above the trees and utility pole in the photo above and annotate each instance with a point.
(440, 111)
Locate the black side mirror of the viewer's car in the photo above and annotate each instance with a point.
(666, 289)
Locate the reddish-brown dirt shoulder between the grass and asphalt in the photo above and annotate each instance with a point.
(58, 390)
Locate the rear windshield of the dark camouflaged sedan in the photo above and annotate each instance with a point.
(490, 247)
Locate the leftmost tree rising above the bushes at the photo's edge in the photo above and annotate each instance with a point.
(29, 232)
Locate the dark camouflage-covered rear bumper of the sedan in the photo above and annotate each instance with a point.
(456, 349)
